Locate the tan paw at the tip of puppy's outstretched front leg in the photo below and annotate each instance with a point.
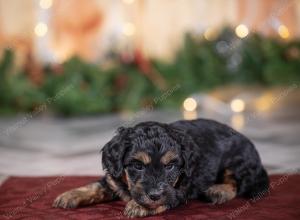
(70, 199)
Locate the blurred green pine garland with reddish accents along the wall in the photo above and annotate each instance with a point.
(81, 88)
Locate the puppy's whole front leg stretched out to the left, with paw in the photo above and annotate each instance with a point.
(86, 195)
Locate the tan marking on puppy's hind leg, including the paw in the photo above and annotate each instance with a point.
(220, 193)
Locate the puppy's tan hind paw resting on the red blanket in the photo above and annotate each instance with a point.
(221, 193)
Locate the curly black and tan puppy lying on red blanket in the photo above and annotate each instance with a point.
(155, 167)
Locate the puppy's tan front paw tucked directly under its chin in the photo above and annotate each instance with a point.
(133, 210)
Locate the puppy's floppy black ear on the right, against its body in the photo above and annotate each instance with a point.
(189, 151)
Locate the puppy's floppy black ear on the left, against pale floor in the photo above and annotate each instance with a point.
(113, 153)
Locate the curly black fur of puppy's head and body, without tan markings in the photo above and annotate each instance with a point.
(204, 149)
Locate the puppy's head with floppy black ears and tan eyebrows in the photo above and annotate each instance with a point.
(152, 157)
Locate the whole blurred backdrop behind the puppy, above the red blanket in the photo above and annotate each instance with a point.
(72, 71)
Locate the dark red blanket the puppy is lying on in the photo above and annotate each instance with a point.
(31, 198)
